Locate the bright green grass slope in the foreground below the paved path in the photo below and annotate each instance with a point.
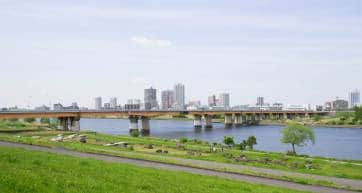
(31, 171)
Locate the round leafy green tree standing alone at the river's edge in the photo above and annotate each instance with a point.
(297, 134)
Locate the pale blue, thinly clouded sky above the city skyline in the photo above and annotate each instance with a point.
(295, 52)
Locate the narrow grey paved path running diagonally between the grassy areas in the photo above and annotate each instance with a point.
(144, 163)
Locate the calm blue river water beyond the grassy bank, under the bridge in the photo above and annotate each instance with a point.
(341, 143)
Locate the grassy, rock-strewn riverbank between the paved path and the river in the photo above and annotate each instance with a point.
(175, 152)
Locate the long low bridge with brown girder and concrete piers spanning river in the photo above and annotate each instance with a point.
(69, 119)
